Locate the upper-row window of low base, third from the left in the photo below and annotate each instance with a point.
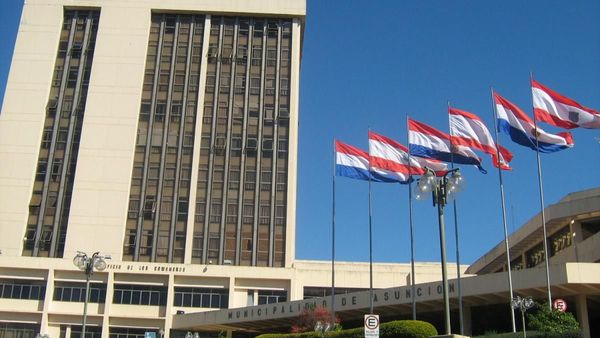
(140, 294)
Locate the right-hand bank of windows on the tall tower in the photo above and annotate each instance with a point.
(245, 133)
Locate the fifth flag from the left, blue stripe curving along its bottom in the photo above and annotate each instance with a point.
(522, 130)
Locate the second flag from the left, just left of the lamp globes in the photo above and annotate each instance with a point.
(391, 159)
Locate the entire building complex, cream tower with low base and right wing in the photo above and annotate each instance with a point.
(165, 135)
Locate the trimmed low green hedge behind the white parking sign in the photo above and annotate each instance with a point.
(398, 328)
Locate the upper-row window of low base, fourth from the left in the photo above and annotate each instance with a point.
(201, 297)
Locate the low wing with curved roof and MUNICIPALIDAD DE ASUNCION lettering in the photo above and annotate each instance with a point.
(573, 225)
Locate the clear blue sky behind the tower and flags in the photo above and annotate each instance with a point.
(368, 64)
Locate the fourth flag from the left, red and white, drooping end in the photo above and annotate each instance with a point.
(468, 129)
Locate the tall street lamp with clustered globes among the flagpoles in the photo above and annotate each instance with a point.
(448, 185)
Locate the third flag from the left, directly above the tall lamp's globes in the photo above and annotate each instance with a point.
(426, 141)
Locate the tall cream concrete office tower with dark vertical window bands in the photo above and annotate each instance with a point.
(153, 131)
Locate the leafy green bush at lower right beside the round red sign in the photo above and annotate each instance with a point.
(552, 321)
